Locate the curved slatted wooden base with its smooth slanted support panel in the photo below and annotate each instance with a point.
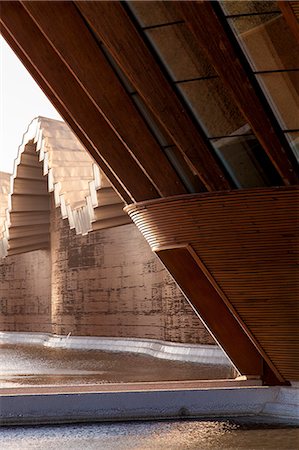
(244, 244)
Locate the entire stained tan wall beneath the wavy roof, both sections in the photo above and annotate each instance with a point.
(107, 283)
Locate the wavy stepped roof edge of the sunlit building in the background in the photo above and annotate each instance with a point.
(51, 159)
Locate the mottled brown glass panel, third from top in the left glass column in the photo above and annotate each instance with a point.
(212, 107)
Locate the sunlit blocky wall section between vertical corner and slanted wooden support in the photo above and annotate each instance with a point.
(109, 283)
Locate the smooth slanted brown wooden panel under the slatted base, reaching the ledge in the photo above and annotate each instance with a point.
(209, 305)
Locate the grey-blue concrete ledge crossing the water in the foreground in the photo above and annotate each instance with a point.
(157, 404)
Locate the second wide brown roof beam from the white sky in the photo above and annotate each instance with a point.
(82, 54)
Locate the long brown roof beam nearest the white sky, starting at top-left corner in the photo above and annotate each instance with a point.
(61, 81)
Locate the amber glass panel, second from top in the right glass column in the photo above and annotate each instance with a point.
(268, 42)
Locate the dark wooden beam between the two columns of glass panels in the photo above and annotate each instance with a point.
(211, 36)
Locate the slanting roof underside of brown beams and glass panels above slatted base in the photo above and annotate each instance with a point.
(174, 98)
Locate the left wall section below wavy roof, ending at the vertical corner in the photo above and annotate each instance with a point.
(25, 292)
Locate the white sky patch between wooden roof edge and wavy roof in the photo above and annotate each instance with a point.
(21, 100)
